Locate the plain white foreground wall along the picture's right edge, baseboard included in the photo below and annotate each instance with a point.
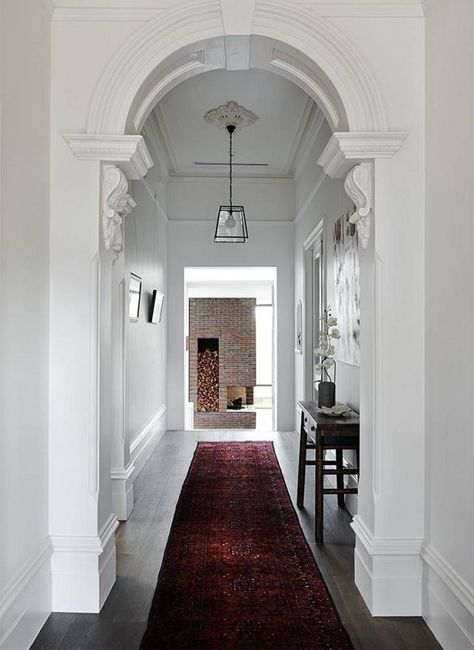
(449, 557)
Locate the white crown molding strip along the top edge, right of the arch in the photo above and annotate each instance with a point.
(367, 9)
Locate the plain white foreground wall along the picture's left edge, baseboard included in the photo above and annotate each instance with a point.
(25, 598)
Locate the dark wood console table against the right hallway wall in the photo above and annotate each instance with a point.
(321, 433)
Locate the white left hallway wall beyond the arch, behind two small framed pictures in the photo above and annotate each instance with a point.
(146, 367)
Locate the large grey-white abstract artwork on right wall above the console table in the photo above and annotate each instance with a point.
(347, 290)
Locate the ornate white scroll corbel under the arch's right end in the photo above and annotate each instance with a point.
(358, 186)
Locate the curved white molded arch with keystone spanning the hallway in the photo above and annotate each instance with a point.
(334, 73)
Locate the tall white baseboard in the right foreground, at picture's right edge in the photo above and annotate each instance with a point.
(448, 602)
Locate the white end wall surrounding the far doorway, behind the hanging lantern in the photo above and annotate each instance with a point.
(191, 244)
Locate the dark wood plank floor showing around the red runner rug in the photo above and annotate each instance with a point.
(141, 542)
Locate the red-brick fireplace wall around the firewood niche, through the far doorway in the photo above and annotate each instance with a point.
(232, 321)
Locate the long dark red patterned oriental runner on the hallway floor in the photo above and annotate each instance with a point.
(237, 571)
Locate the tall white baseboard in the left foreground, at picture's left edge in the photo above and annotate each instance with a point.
(25, 601)
